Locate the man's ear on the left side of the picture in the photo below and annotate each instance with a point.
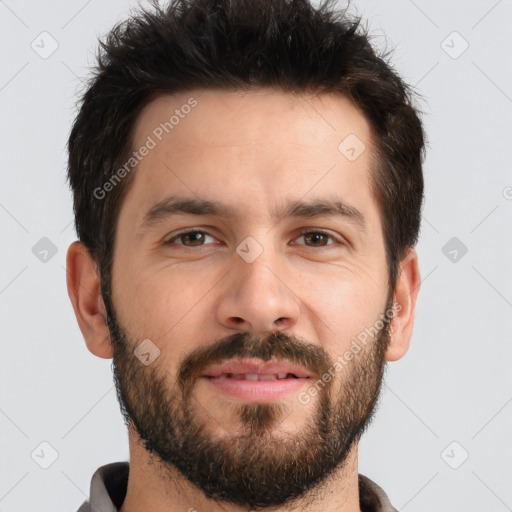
(83, 284)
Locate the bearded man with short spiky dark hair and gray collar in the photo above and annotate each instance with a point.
(247, 180)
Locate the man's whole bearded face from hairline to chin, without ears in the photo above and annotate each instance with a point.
(256, 284)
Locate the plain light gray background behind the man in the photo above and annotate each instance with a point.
(454, 385)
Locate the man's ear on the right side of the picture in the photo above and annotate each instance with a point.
(406, 292)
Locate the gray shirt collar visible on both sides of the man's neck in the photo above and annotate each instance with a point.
(109, 484)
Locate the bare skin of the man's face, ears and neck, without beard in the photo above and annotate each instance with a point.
(252, 151)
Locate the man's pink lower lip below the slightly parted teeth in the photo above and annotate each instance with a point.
(257, 390)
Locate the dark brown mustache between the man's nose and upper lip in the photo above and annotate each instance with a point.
(275, 345)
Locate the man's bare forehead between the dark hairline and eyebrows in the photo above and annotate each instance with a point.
(249, 146)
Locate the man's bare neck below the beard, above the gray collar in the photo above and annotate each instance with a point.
(150, 488)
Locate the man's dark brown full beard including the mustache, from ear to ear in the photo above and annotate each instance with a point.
(249, 468)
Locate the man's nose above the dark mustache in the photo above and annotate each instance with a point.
(258, 297)
